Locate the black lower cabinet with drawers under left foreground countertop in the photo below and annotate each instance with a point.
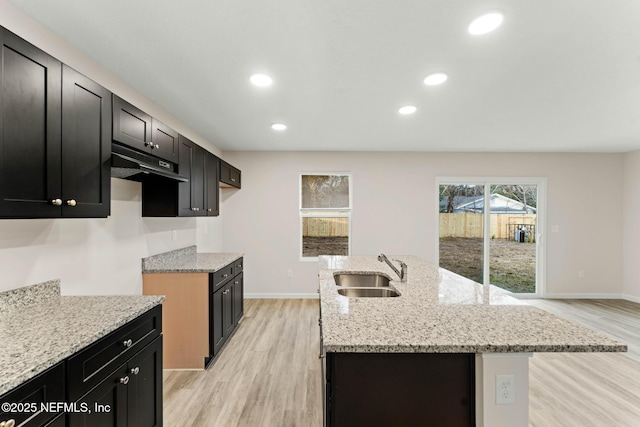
(127, 392)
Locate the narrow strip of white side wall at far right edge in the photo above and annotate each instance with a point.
(631, 230)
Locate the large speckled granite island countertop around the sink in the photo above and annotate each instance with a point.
(441, 312)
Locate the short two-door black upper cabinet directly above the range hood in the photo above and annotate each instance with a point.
(137, 129)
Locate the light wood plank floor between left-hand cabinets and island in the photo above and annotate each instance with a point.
(268, 374)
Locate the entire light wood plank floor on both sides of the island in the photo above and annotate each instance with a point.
(269, 373)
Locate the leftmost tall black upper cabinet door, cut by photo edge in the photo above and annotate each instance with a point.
(30, 120)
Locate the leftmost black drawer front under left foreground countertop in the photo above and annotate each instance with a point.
(46, 387)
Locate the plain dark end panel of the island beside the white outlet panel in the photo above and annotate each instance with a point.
(400, 389)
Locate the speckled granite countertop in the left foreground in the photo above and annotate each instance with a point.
(39, 327)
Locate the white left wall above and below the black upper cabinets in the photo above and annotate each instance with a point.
(94, 256)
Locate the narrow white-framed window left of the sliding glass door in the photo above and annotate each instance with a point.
(325, 214)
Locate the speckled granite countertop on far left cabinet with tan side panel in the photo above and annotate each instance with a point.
(187, 260)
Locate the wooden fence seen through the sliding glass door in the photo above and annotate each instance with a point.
(471, 224)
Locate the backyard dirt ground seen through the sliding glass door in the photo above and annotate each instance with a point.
(512, 264)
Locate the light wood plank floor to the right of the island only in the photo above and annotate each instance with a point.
(589, 389)
